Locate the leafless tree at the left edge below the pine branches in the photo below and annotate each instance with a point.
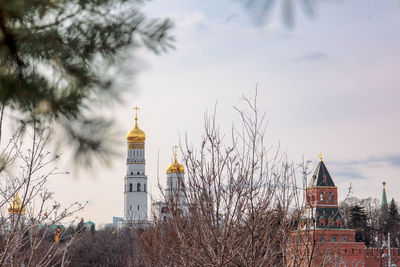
(29, 213)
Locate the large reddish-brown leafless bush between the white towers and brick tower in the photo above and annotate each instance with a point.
(238, 202)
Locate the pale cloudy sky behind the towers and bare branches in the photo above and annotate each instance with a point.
(329, 84)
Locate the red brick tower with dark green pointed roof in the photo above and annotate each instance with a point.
(322, 238)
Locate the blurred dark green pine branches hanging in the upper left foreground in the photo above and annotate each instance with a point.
(56, 57)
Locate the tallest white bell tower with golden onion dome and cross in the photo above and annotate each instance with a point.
(135, 186)
